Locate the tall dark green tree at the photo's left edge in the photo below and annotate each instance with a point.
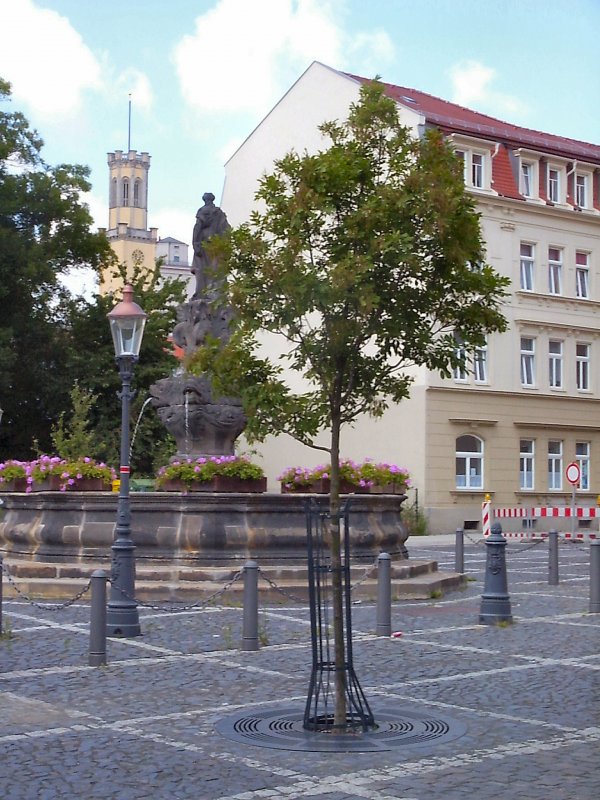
(45, 229)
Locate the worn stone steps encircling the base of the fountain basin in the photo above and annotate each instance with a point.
(276, 583)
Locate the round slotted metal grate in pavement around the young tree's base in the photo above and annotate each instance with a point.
(281, 729)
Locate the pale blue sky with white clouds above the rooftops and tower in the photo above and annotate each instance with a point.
(203, 73)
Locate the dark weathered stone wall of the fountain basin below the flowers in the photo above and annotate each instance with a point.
(55, 526)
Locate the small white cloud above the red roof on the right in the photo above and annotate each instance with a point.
(471, 82)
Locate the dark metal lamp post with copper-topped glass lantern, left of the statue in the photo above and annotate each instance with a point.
(127, 322)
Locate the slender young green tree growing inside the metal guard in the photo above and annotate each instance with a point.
(366, 260)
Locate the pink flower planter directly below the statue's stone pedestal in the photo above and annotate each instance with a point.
(212, 474)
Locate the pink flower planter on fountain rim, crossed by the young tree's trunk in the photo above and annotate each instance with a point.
(366, 477)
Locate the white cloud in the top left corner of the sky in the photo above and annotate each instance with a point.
(45, 59)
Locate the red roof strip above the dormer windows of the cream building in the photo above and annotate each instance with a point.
(464, 120)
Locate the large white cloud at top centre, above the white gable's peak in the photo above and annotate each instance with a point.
(243, 55)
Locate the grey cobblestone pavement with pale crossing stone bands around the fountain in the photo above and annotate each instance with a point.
(527, 696)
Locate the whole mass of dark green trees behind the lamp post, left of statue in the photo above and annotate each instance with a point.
(49, 340)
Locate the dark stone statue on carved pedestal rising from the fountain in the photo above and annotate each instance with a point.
(201, 423)
